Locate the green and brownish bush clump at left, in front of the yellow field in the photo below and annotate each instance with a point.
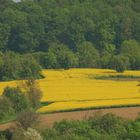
(15, 100)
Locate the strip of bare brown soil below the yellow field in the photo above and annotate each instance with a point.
(49, 119)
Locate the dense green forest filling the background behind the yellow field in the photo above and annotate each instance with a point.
(71, 33)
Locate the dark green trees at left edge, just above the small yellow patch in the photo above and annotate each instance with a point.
(13, 66)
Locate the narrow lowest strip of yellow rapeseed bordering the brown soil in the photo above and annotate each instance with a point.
(71, 105)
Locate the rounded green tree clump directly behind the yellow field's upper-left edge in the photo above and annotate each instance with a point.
(58, 56)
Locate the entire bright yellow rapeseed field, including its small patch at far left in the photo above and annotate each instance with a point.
(73, 88)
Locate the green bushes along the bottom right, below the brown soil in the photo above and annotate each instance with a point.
(106, 127)
